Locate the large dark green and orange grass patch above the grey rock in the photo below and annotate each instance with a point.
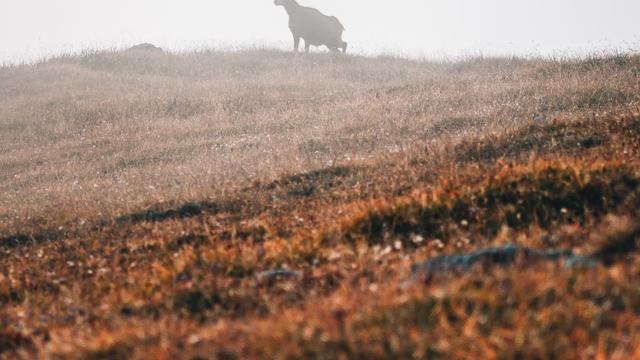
(548, 196)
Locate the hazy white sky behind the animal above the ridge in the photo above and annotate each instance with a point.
(31, 29)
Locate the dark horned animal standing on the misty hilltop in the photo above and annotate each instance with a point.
(313, 26)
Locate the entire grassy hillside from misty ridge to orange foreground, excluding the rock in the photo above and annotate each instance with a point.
(260, 204)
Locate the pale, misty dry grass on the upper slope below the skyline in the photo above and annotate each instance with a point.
(123, 130)
